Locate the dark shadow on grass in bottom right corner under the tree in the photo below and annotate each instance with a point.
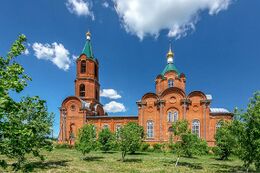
(229, 168)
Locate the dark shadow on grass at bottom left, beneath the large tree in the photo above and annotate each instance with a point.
(45, 165)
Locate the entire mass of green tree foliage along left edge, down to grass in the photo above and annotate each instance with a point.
(25, 125)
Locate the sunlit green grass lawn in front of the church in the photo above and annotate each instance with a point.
(70, 160)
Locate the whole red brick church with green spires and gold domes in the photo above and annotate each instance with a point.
(156, 111)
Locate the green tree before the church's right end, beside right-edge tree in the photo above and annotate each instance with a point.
(225, 140)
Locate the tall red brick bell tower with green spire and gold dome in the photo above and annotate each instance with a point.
(87, 81)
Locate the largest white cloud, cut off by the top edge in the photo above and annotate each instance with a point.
(146, 17)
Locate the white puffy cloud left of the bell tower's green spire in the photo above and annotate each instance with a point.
(54, 52)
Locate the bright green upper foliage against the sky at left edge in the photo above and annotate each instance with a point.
(12, 77)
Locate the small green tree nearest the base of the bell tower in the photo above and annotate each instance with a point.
(86, 140)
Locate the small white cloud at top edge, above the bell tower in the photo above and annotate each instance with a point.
(80, 7)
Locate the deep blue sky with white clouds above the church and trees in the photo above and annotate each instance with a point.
(216, 45)
